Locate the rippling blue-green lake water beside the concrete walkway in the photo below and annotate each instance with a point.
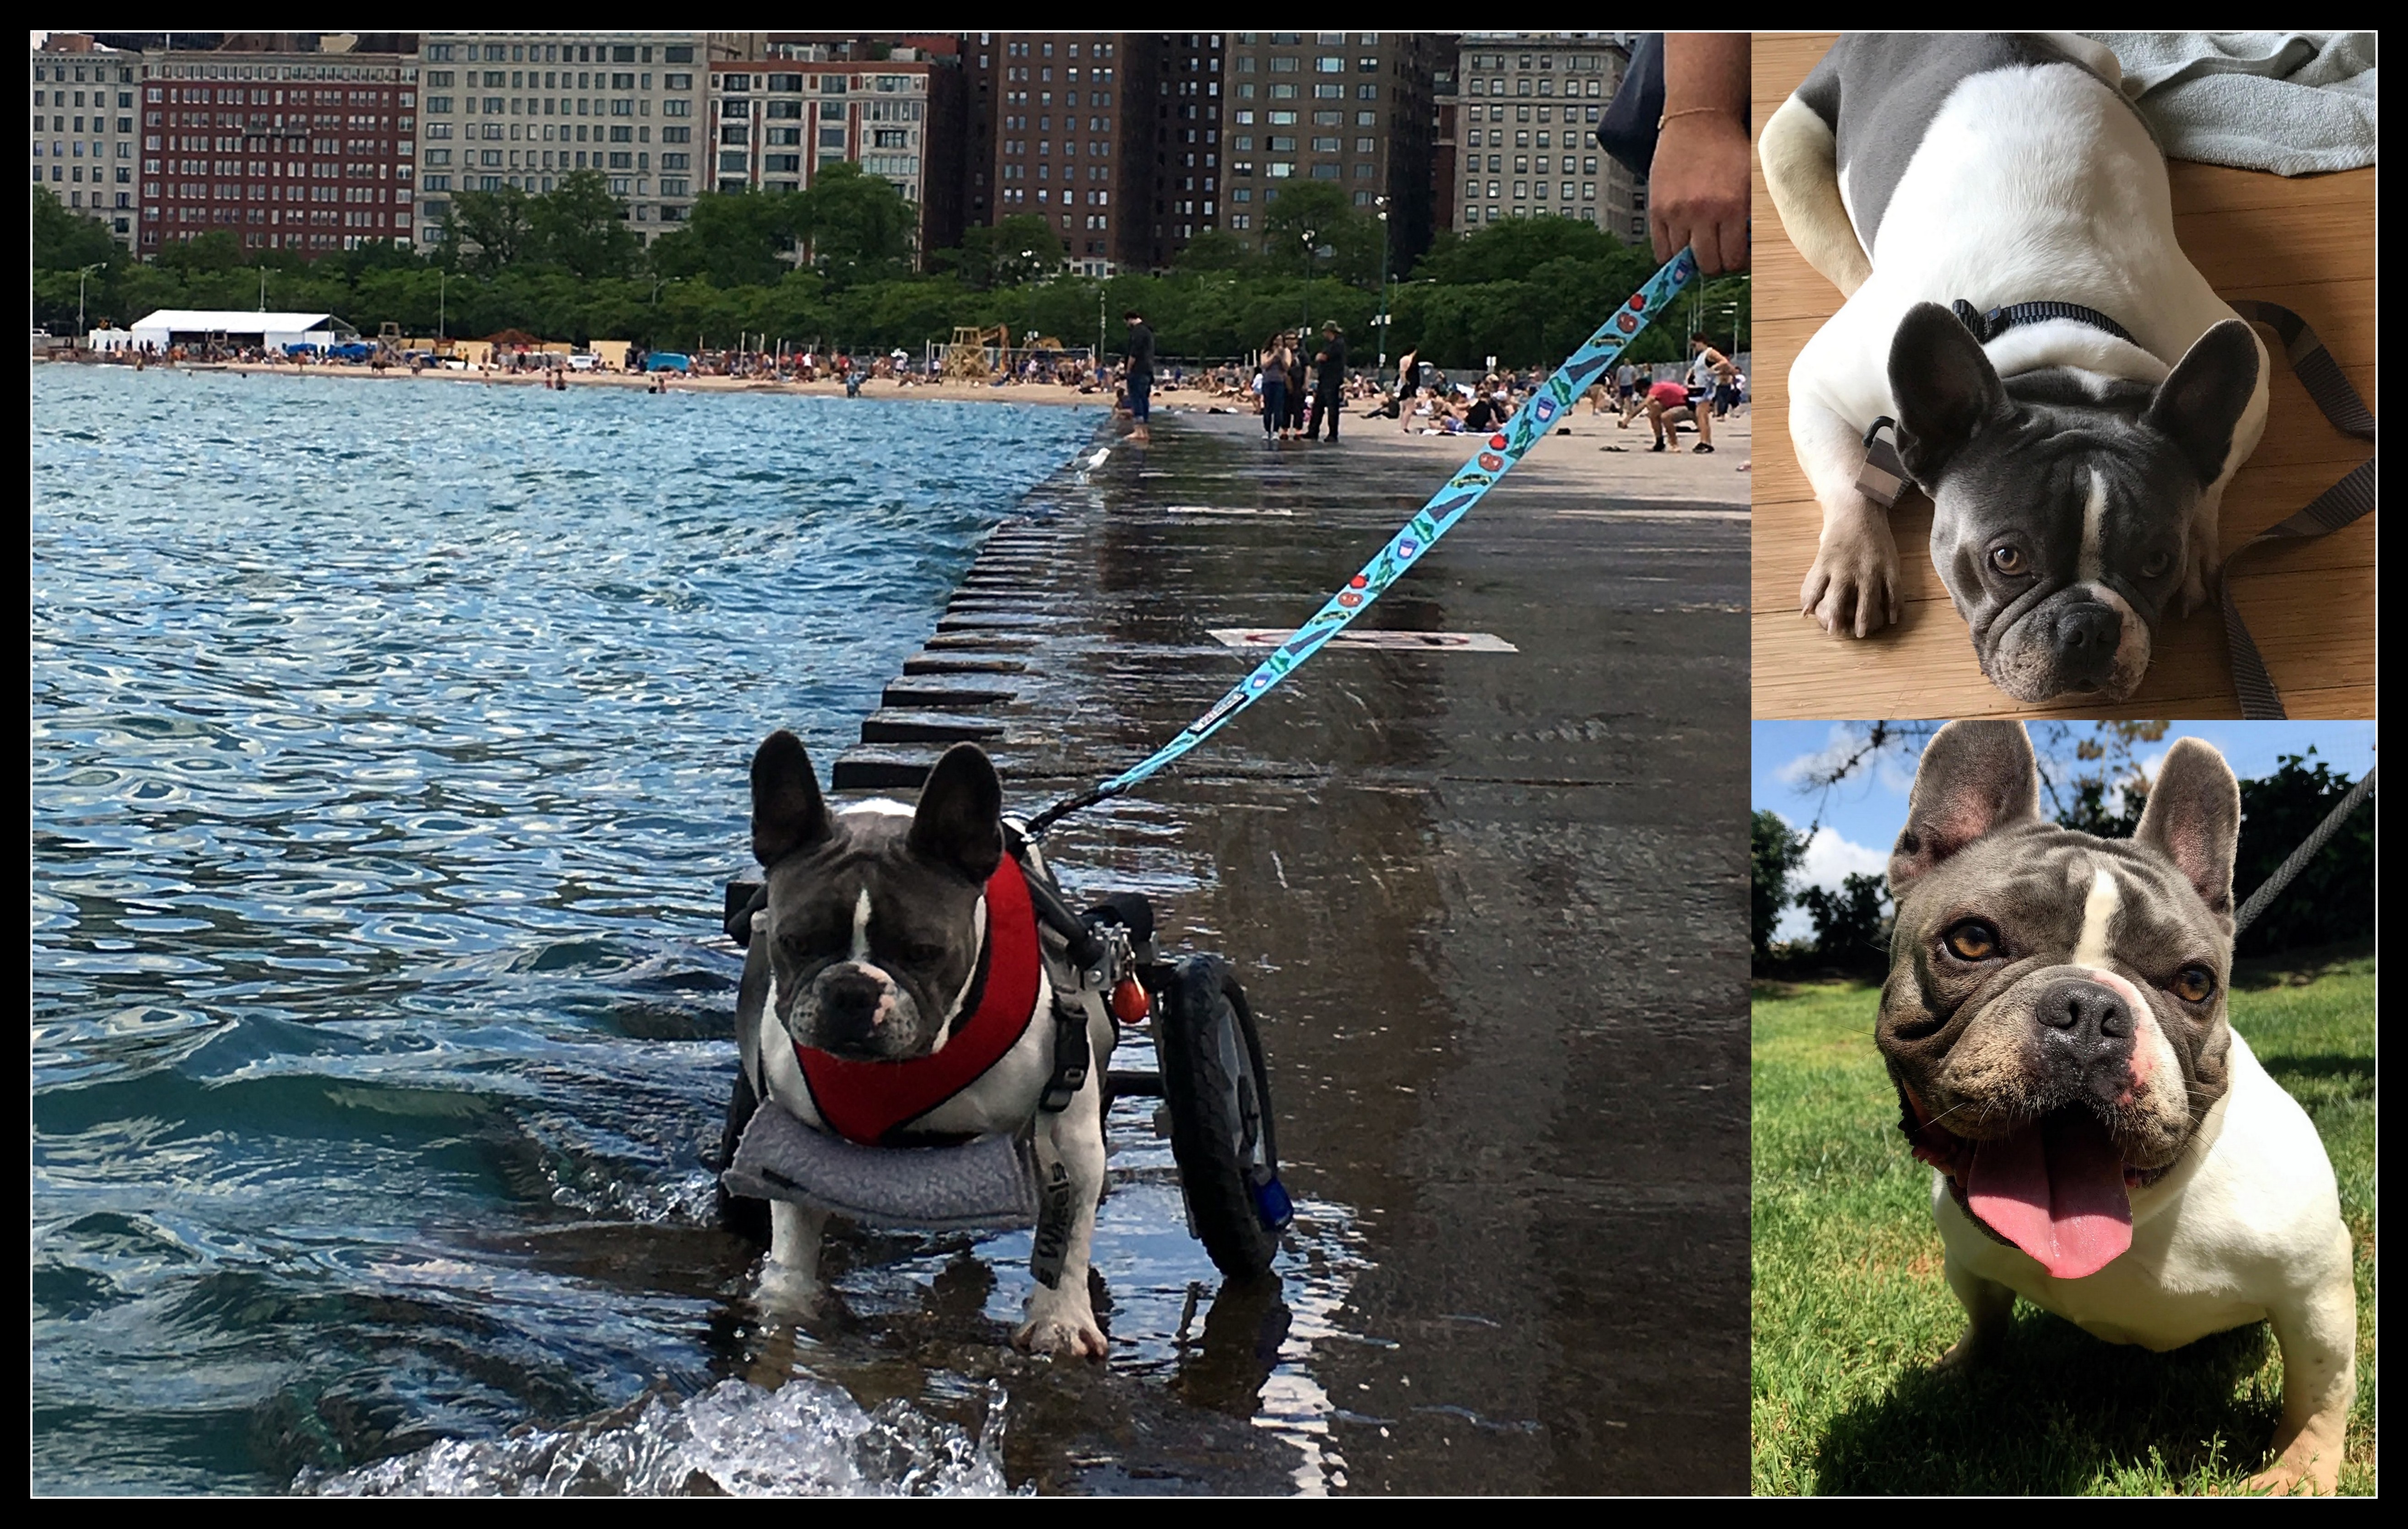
(386, 760)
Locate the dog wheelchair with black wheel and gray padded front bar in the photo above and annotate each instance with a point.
(1212, 1080)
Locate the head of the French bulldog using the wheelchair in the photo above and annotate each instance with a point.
(875, 919)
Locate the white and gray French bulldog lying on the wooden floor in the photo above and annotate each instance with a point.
(2077, 468)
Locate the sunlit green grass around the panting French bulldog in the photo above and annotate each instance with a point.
(1851, 1309)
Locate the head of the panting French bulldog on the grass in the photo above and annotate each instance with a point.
(2055, 1015)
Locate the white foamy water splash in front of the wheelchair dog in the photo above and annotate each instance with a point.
(803, 1441)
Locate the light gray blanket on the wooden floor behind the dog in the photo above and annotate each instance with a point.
(2286, 102)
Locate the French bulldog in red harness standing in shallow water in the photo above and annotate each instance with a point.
(895, 950)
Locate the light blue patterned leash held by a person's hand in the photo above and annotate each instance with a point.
(1436, 519)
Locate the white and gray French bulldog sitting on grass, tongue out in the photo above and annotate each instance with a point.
(2103, 1143)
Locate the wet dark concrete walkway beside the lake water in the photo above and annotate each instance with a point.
(1492, 911)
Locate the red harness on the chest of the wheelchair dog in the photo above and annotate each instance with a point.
(868, 1102)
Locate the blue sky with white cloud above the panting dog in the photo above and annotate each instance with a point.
(1863, 817)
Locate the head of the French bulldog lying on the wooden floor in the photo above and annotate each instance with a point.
(2062, 500)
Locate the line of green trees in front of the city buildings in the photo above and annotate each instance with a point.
(834, 266)
